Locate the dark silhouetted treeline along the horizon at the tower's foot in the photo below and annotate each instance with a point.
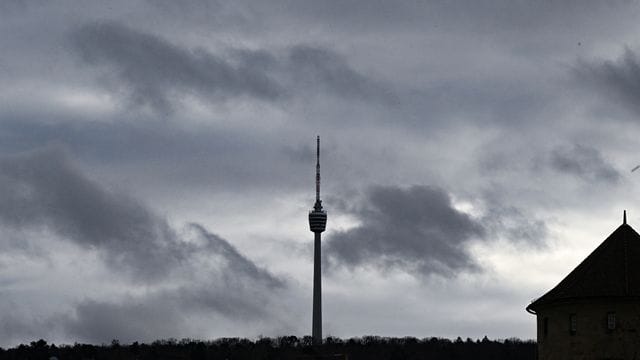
(285, 347)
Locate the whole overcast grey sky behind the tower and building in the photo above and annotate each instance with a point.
(157, 163)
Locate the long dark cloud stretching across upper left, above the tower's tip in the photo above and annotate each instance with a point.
(154, 71)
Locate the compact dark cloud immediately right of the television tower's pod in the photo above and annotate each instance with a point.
(415, 229)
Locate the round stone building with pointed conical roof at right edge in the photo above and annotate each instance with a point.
(594, 312)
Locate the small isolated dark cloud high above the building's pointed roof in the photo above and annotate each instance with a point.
(584, 162)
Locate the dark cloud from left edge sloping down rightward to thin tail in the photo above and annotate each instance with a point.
(43, 189)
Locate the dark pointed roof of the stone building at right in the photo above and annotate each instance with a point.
(611, 270)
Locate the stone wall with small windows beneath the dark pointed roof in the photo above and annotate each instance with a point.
(592, 339)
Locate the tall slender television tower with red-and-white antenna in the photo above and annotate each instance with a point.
(317, 223)
